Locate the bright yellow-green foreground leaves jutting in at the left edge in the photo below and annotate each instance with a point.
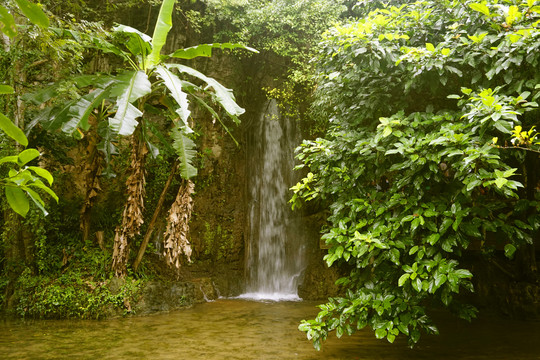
(24, 182)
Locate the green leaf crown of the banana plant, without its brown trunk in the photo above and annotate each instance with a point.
(127, 92)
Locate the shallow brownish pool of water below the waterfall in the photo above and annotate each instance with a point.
(238, 329)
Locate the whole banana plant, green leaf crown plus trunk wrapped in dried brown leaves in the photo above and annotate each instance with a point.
(118, 102)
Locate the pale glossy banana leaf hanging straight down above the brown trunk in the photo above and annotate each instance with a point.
(125, 119)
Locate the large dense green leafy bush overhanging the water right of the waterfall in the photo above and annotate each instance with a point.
(423, 104)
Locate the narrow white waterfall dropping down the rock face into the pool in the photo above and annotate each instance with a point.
(275, 250)
